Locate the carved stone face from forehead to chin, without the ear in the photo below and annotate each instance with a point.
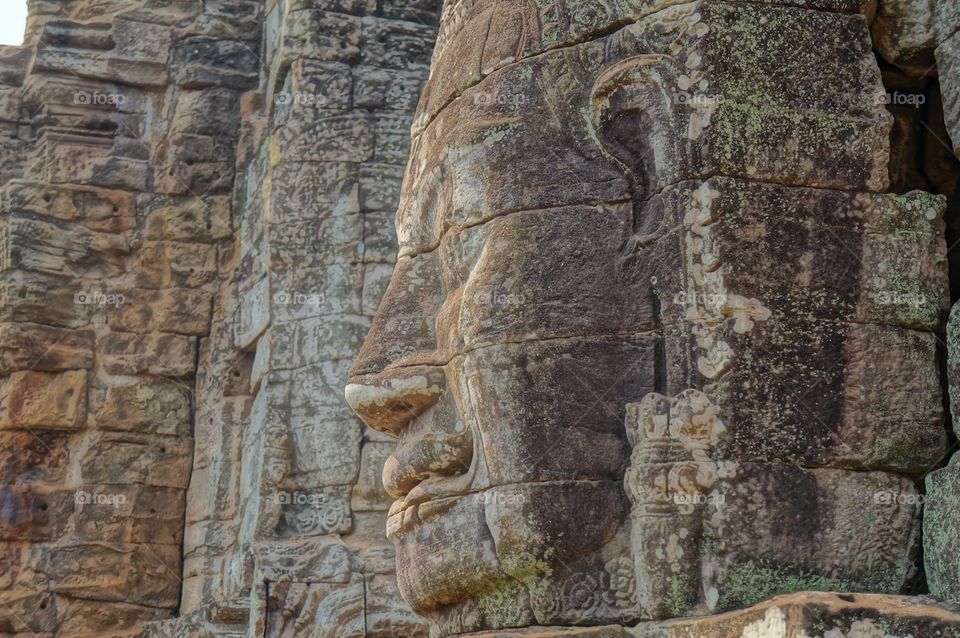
(512, 336)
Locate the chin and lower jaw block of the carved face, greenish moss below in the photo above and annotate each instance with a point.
(514, 556)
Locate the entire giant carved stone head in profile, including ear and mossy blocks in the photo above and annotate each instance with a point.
(563, 254)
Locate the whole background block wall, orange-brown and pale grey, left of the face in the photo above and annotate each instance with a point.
(129, 220)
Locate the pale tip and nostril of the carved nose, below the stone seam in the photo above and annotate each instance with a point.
(389, 403)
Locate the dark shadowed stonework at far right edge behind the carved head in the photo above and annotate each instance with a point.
(922, 39)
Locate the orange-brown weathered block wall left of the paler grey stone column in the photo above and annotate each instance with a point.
(115, 220)
